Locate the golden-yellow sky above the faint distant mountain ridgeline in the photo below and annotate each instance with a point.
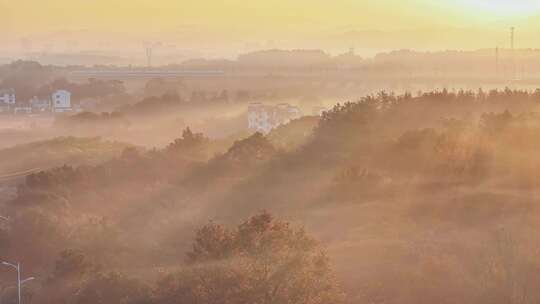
(144, 15)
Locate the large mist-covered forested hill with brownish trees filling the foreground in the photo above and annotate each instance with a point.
(413, 199)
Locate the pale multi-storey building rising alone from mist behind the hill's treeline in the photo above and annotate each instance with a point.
(264, 118)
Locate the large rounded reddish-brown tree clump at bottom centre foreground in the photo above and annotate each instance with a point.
(263, 260)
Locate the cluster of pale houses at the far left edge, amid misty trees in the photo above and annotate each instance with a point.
(58, 102)
